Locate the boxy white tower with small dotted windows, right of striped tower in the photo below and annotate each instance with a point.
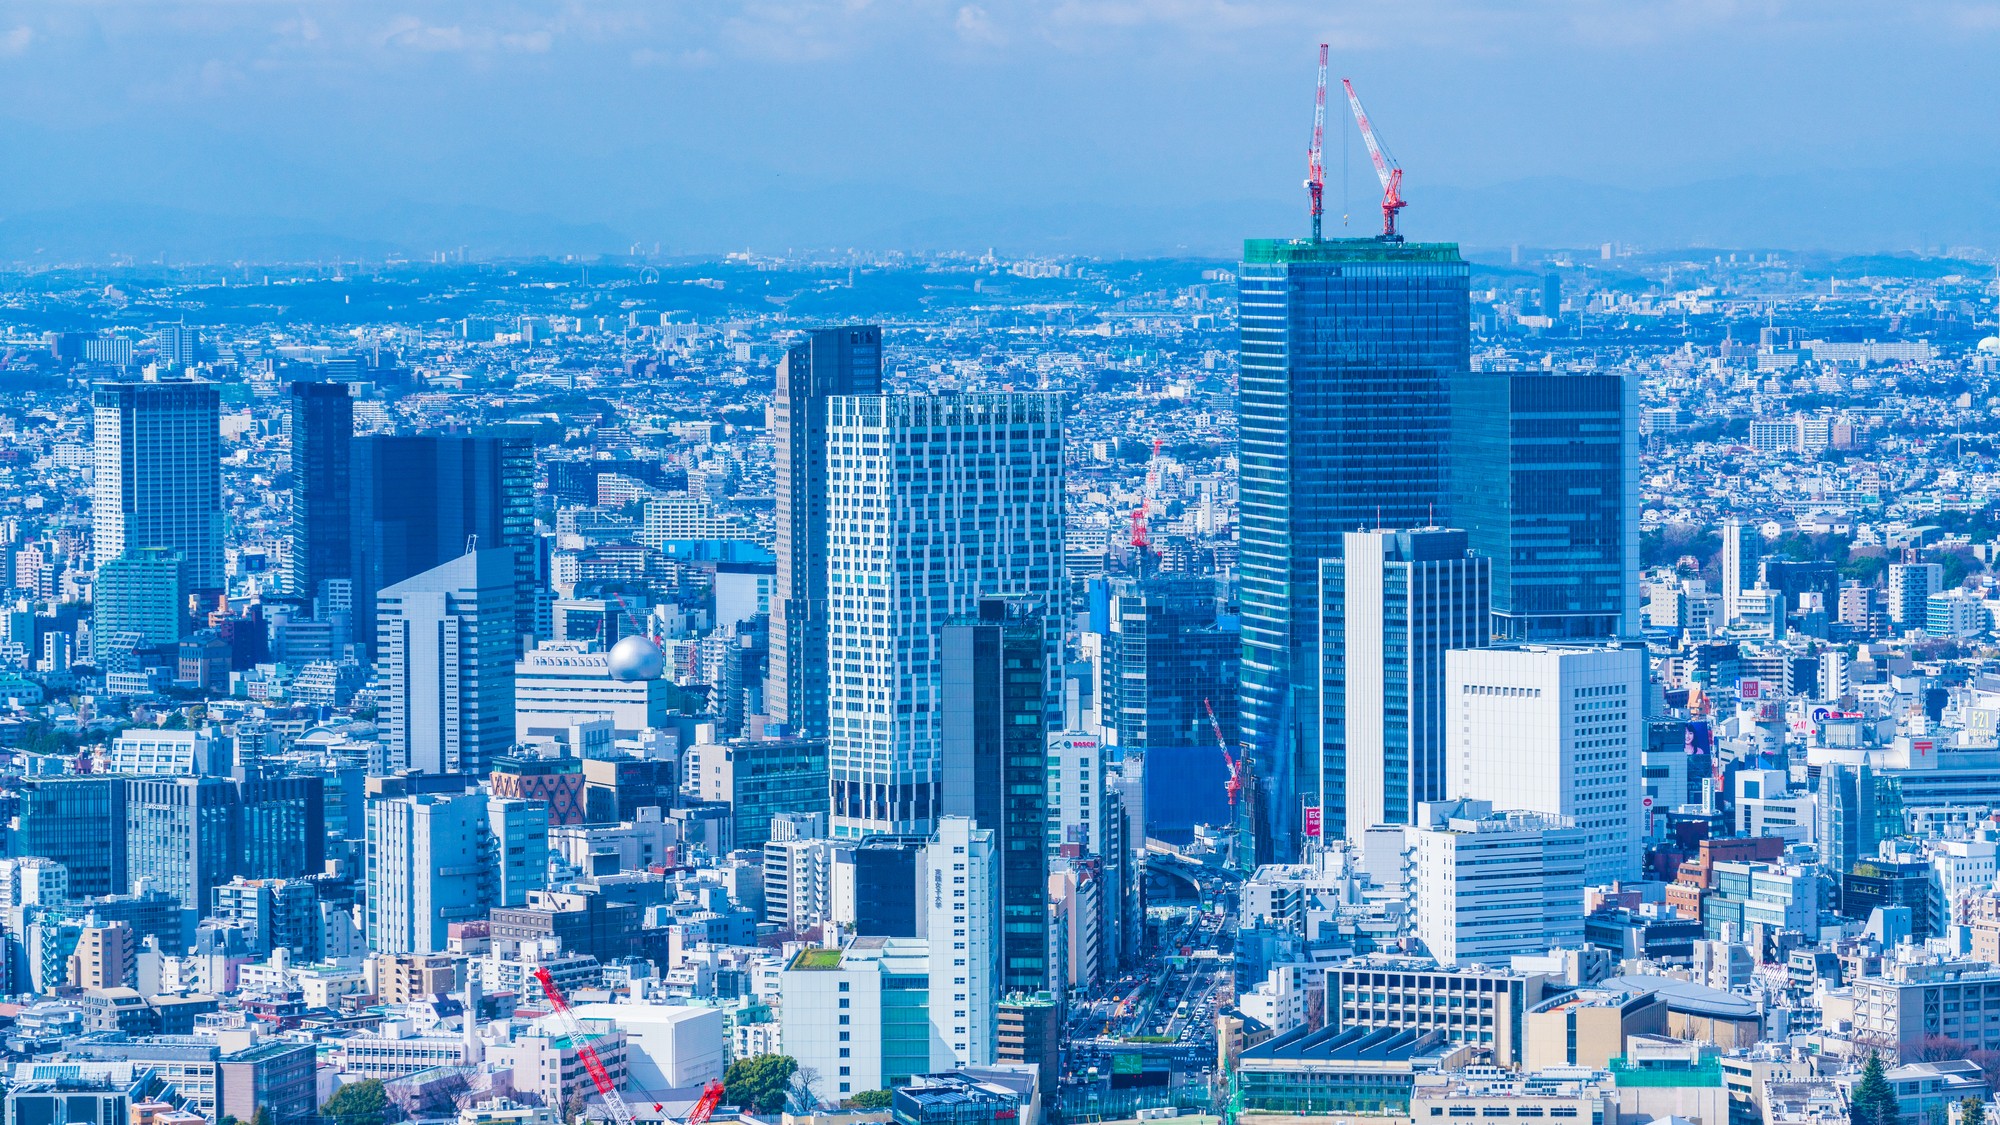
(1555, 730)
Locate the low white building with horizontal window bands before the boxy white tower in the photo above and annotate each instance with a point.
(1493, 886)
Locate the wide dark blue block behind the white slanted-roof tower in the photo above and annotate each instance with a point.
(425, 499)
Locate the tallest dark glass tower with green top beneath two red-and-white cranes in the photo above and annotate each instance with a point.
(1349, 357)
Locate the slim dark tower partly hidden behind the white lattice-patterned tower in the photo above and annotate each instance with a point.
(833, 361)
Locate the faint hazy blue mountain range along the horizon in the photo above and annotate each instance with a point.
(1849, 213)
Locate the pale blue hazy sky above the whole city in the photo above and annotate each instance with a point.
(1091, 125)
